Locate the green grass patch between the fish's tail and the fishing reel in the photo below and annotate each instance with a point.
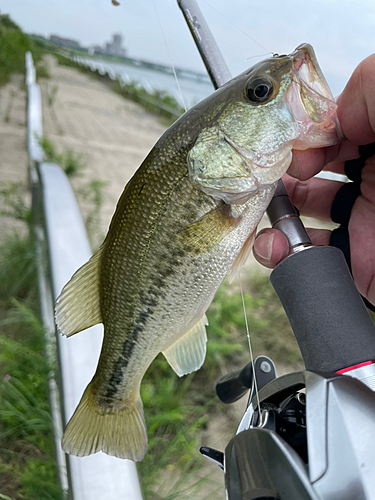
(177, 410)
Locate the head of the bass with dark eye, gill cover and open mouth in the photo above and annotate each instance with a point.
(280, 104)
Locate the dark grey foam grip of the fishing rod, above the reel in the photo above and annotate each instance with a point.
(330, 321)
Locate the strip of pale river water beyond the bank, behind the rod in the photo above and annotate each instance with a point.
(193, 90)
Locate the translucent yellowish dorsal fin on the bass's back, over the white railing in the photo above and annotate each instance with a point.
(78, 305)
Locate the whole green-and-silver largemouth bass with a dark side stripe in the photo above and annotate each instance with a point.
(185, 220)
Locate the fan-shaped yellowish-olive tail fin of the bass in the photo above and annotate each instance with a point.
(120, 432)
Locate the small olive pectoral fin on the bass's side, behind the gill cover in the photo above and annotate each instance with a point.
(210, 230)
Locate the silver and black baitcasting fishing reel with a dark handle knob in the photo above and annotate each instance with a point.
(303, 436)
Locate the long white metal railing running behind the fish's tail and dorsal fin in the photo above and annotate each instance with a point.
(61, 236)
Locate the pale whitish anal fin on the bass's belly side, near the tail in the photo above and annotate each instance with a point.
(188, 353)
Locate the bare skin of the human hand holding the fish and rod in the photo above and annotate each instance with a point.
(314, 197)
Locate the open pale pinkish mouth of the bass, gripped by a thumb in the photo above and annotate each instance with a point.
(311, 102)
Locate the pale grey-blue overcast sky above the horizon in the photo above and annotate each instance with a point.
(342, 32)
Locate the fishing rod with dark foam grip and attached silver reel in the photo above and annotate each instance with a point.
(310, 435)
